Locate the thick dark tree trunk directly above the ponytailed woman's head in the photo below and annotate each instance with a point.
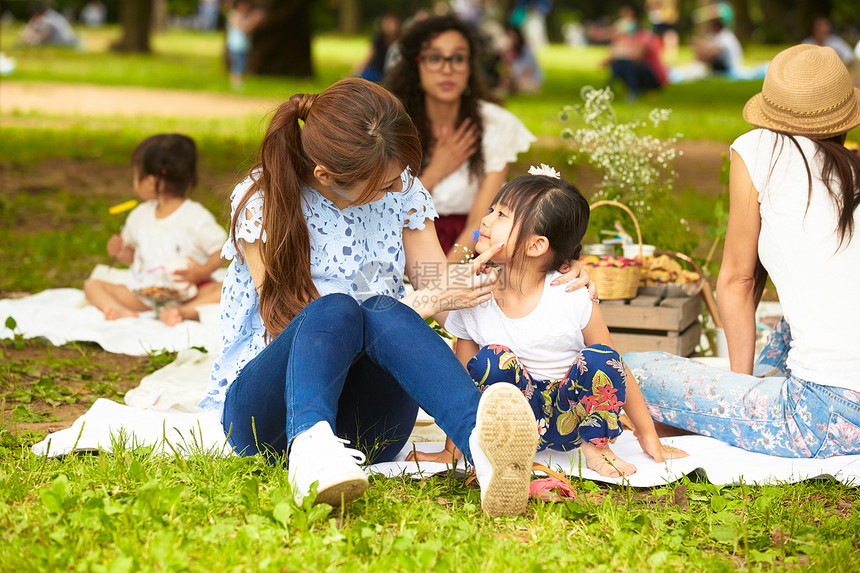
(281, 44)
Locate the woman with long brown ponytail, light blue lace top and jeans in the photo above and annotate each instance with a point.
(321, 346)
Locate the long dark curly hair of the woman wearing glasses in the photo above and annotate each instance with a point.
(403, 80)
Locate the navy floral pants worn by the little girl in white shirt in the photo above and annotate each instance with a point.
(584, 405)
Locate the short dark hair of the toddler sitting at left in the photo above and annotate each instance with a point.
(171, 158)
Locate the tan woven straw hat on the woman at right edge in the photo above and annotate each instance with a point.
(807, 91)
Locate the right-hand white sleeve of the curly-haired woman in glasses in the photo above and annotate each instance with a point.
(505, 137)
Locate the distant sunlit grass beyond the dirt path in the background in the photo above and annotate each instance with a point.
(193, 60)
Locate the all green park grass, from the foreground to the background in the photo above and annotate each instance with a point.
(132, 510)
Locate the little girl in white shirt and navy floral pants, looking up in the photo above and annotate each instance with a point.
(554, 346)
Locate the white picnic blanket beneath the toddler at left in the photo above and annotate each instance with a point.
(62, 315)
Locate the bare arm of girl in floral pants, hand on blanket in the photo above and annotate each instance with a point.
(596, 332)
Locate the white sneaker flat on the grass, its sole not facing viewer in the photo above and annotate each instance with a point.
(319, 455)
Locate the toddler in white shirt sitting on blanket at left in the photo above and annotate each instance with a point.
(172, 244)
